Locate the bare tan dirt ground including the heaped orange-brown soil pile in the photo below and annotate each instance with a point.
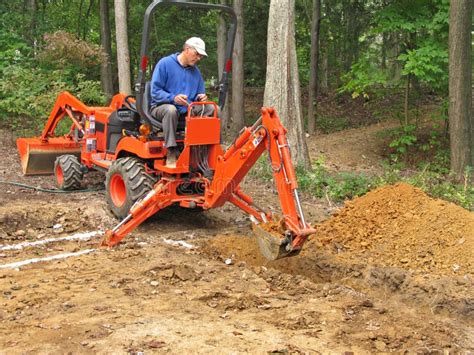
(389, 271)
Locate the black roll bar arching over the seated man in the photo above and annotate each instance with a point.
(223, 83)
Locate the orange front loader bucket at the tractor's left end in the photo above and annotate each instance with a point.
(37, 156)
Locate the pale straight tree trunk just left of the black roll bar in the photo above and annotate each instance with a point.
(123, 54)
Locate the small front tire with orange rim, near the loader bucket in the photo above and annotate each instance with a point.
(68, 172)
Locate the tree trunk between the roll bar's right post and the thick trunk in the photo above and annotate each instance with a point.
(238, 118)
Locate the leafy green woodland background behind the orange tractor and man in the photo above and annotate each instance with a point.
(375, 60)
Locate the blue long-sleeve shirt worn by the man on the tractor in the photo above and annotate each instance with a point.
(170, 78)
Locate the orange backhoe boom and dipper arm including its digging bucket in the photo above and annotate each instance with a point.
(267, 134)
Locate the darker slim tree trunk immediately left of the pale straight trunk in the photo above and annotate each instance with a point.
(105, 40)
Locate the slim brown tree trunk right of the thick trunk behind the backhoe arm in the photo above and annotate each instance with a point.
(313, 71)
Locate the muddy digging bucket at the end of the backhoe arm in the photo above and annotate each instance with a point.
(272, 242)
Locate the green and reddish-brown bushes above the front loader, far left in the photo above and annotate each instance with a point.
(29, 85)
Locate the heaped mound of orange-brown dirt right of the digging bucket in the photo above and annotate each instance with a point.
(401, 226)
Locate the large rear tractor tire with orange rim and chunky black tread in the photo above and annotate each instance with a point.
(126, 182)
